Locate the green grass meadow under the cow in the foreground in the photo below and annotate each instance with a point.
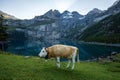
(14, 67)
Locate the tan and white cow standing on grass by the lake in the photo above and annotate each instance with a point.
(60, 51)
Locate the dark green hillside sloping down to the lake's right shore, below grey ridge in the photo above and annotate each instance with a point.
(107, 30)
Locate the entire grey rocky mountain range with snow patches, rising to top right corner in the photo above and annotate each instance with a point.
(66, 23)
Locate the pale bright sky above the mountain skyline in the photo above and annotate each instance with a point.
(27, 9)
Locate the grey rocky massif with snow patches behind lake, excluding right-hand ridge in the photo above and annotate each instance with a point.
(53, 22)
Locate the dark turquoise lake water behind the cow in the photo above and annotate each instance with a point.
(86, 51)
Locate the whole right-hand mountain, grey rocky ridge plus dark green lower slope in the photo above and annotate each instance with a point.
(106, 27)
